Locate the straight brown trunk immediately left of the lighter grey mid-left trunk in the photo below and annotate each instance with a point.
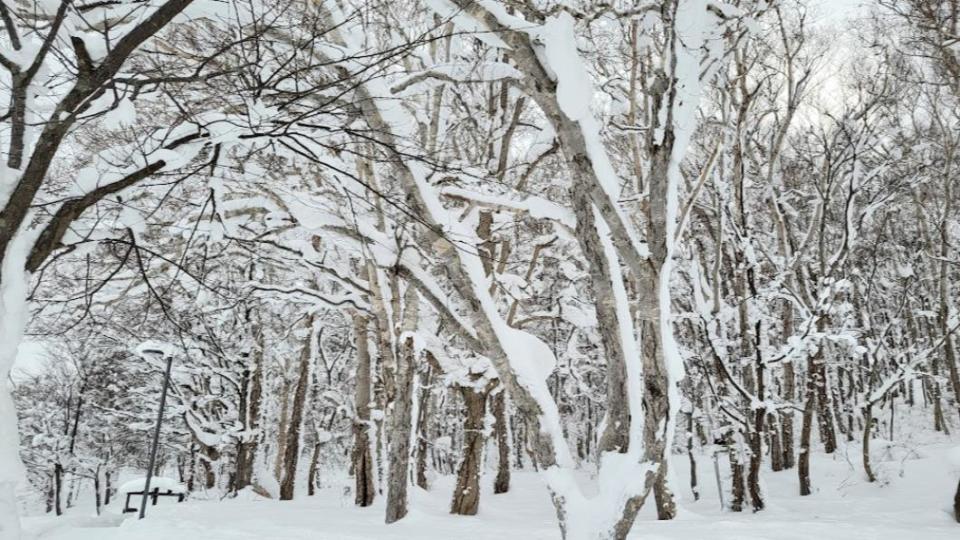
(362, 457)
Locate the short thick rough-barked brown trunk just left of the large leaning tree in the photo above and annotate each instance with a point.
(466, 494)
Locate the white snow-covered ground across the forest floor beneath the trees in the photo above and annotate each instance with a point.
(912, 504)
